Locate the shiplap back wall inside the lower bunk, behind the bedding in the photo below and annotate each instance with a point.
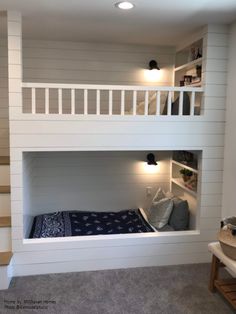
(97, 181)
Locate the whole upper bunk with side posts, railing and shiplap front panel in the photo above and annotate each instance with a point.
(95, 96)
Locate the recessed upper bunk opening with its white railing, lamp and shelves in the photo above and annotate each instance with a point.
(171, 87)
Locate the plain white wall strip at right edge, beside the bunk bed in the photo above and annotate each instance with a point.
(229, 195)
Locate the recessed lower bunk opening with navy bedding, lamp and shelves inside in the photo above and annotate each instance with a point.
(82, 193)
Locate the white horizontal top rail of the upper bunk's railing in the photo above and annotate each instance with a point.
(112, 87)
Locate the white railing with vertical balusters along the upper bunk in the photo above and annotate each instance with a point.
(155, 93)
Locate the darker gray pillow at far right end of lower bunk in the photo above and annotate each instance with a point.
(179, 218)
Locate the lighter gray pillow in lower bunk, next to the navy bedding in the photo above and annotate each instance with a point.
(159, 213)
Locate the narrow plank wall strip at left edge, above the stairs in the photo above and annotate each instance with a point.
(4, 111)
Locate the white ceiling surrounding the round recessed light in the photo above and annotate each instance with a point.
(152, 22)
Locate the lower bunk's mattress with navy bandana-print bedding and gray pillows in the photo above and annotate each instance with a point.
(165, 214)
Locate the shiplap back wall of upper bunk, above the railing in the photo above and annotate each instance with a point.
(94, 63)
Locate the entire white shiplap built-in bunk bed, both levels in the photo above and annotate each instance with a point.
(48, 117)
